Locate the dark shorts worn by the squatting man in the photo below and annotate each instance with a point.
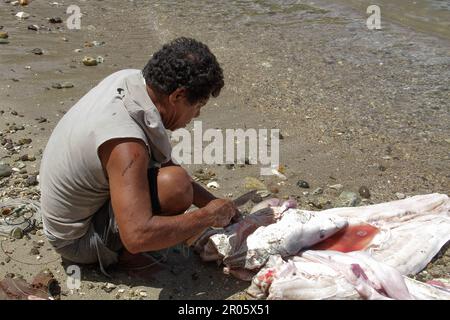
(101, 243)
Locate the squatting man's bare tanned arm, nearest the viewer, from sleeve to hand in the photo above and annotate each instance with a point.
(125, 162)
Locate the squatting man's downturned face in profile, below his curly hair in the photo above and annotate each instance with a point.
(184, 111)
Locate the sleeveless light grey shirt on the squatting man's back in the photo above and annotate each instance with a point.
(73, 184)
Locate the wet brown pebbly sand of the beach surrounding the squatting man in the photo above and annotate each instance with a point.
(355, 107)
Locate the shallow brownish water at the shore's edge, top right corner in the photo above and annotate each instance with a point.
(428, 16)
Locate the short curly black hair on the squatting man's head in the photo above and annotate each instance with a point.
(185, 63)
